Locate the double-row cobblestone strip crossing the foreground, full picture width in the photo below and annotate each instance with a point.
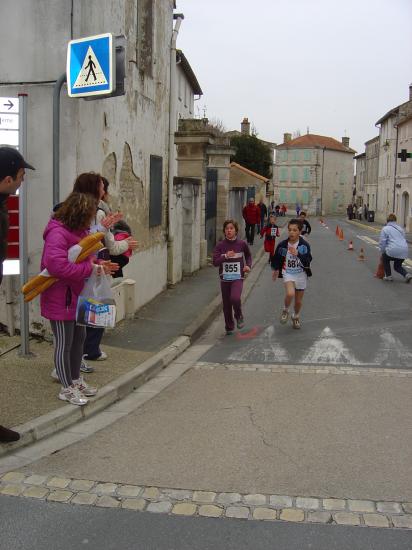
(254, 506)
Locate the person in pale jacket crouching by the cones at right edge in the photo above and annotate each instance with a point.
(394, 249)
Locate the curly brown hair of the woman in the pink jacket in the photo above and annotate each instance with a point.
(77, 211)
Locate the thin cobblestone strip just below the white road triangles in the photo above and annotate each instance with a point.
(305, 369)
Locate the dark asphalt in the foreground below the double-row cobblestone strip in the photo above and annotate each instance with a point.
(30, 525)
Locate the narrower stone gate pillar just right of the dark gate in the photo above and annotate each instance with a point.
(219, 158)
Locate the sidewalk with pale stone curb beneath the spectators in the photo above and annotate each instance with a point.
(137, 350)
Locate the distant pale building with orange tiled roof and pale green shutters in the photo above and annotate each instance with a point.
(315, 172)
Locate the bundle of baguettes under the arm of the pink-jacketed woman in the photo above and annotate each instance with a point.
(77, 253)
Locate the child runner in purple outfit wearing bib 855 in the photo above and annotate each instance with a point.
(233, 257)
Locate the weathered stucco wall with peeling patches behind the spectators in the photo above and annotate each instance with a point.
(114, 136)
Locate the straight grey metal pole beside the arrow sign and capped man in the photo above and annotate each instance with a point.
(24, 268)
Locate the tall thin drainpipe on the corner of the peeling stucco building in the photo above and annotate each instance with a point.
(172, 128)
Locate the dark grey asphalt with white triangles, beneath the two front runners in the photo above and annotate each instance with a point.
(349, 317)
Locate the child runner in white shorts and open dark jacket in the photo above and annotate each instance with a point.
(292, 262)
